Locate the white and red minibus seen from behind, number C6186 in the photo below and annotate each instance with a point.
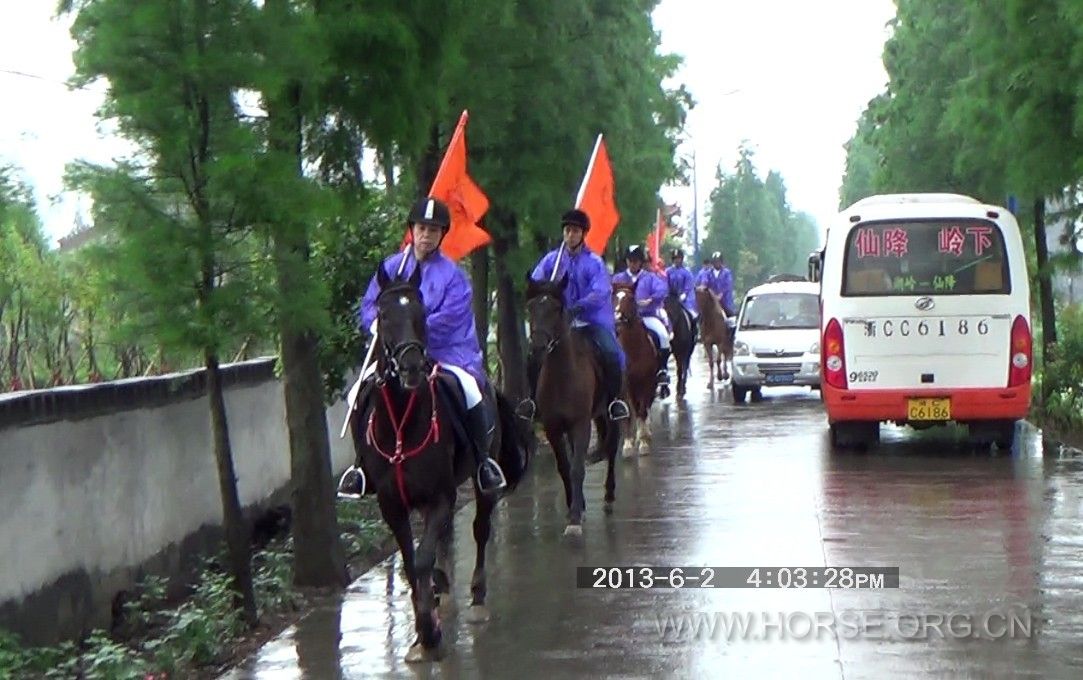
(925, 319)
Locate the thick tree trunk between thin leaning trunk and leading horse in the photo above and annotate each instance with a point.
(319, 558)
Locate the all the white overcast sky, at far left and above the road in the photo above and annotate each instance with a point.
(791, 76)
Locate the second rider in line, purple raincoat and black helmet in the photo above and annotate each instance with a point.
(590, 299)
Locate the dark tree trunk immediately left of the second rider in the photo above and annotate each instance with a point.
(510, 326)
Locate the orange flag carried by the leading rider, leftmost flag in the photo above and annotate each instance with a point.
(465, 200)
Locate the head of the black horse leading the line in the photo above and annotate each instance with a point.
(401, 312)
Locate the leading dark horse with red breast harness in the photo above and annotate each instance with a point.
(405, 434)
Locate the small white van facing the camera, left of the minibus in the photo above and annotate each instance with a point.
(778, 338)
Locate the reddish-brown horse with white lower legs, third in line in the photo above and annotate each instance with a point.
(643, 361)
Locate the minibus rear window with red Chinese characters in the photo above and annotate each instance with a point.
(927, 258)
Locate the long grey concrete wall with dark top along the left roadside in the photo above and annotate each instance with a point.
(102, 485)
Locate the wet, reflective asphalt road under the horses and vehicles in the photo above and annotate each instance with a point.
(989, 546)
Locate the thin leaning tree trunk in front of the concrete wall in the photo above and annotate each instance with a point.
(237, 529)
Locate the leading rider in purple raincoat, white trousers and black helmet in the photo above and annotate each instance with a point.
(451, 335)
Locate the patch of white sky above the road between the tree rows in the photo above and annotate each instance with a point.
(790, 76)
